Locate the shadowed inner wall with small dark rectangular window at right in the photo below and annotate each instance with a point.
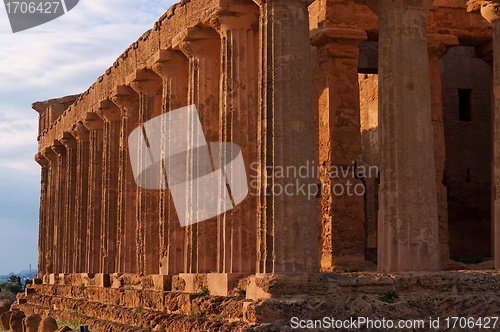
(467, 84)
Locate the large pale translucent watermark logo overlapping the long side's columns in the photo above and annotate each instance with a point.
(204, 179)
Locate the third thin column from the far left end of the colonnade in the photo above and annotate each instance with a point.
(59, 206)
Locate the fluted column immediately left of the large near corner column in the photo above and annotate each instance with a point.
(238, 30)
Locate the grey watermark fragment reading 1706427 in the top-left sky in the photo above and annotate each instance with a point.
(25, 15)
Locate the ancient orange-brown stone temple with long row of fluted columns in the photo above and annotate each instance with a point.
(369, 142)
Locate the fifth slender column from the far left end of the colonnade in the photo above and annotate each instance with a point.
(81, 135)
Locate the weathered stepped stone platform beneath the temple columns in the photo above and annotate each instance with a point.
(139, 307)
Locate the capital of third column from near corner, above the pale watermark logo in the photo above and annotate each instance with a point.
(193, 42)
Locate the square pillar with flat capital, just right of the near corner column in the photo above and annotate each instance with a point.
(343, 227)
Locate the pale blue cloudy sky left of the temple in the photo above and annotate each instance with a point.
(59, 58)
